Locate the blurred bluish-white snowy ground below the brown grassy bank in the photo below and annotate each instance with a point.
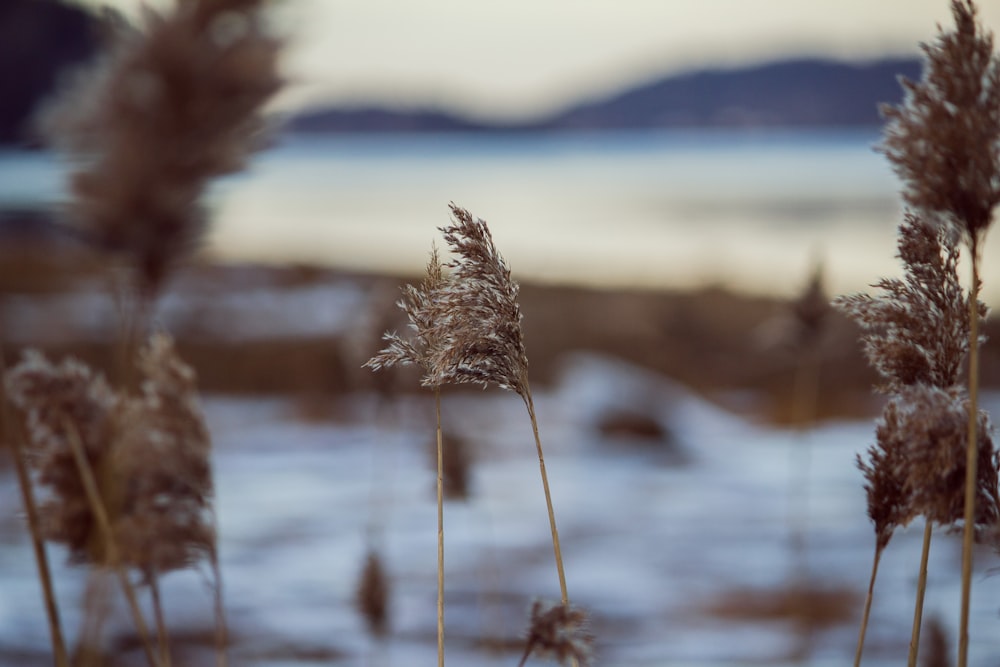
(655, 535)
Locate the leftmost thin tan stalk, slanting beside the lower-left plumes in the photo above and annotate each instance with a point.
(34, 527)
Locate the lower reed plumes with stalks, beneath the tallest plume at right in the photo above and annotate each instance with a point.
(916, 336)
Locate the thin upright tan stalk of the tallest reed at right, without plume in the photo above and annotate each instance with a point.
(972, 455)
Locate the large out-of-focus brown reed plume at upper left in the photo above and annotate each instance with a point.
(175, 103)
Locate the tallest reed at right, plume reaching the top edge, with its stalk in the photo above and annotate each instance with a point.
(944, 143)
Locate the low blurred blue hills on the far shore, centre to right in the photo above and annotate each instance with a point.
(790, 93)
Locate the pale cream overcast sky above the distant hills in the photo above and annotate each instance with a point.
(518, 58)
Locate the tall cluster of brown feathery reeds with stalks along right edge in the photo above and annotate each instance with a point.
(934, 455)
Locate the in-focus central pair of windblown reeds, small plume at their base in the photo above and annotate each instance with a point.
(466, 328)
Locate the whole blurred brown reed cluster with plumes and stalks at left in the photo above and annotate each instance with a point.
(124, 465)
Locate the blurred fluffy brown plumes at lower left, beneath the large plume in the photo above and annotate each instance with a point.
(145, 457)
